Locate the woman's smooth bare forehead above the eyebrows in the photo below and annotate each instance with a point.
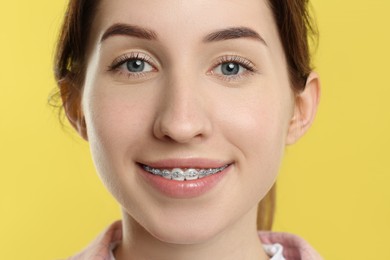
(186, 20)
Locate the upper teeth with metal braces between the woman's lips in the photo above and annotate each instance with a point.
(186, 174)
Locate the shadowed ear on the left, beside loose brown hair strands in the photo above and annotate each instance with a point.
(71, 100)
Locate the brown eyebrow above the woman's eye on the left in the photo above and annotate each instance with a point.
(129, 30)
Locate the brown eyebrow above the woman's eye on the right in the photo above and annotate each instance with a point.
(234, 33)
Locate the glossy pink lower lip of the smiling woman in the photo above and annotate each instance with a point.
(183, 189)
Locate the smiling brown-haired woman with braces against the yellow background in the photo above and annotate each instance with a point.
(187, 107)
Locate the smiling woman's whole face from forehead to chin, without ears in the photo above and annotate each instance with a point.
(187, 85)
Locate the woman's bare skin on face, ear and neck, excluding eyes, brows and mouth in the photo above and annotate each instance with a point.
(182, 106)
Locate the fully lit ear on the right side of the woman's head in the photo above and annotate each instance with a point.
(305, 109)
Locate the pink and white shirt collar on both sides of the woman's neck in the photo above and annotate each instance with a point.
(279, 246)
